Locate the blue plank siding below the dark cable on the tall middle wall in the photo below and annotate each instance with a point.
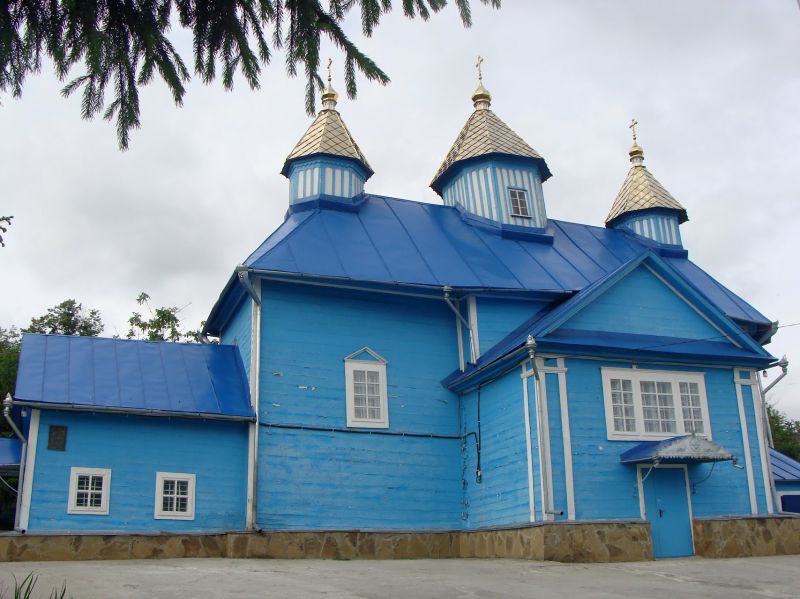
(325, 480)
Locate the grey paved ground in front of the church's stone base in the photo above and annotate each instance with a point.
(695, 577)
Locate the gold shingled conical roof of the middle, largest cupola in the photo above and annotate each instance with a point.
(485, 133)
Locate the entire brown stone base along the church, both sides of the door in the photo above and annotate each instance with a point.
(560, 541)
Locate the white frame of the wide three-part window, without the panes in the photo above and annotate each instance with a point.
(637, 375)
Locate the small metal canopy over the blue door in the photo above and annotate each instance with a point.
(677, 450)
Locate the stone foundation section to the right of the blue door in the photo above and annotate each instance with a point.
(743, 537)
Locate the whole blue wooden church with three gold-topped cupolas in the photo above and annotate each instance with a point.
(388, 364)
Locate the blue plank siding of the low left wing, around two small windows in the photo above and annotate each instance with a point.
(135, 448)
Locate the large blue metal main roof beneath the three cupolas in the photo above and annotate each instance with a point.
(384, 240)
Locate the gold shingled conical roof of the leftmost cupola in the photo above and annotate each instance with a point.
(327, 135)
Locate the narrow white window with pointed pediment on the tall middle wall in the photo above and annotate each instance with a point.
(366, 390)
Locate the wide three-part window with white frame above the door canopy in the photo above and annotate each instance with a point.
(650, 404)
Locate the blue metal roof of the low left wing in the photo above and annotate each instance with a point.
(120, 375)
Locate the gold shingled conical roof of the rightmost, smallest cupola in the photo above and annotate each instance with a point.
(642, 191)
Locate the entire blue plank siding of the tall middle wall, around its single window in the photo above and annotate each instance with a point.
(341, 480)
